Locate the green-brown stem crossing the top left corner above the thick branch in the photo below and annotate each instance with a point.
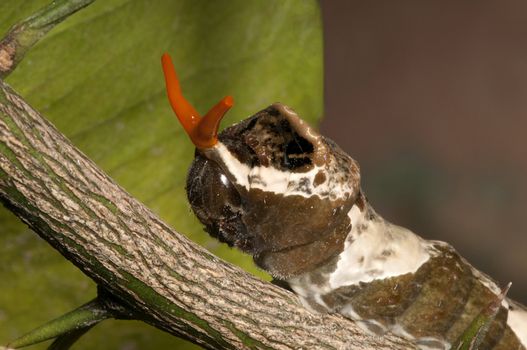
(23, 35)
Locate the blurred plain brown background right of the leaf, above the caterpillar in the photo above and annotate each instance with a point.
(431, 98)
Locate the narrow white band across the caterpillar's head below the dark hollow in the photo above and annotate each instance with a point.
(286, 183)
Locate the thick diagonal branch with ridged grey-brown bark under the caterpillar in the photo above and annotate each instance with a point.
(157, 274)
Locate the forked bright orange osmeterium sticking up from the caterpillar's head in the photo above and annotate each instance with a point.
(203, 131)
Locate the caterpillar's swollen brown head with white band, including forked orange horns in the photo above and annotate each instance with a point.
(269, 185)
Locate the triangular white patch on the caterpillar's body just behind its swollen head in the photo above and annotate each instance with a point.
(376, 249)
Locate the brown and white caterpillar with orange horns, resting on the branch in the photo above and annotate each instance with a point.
(273, 187)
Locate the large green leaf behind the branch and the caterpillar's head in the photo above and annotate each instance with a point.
(97, 77)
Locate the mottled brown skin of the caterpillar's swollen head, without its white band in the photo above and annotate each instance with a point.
(254, 220)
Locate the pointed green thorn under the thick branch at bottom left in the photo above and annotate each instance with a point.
(75, 322)
